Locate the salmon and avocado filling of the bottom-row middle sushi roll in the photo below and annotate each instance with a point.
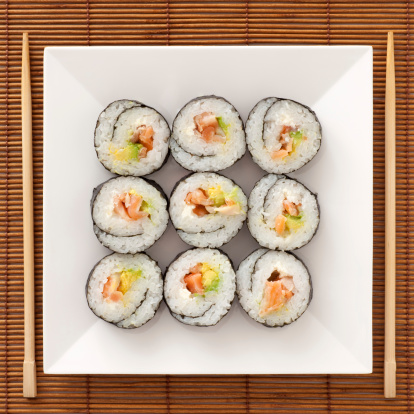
(201, 279)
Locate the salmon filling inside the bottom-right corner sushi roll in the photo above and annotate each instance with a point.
(277, 292)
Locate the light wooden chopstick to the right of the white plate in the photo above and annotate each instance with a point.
(389, 357)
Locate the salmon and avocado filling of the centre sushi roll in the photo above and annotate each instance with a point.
(213, 201)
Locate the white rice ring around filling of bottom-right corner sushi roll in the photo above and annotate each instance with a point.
(252, 275)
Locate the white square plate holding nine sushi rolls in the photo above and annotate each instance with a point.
(334, 334)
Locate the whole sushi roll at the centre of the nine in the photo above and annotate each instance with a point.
(207, 209)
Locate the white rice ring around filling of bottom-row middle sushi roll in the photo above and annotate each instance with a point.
(199, 310)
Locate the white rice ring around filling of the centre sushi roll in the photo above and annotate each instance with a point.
(211, 230)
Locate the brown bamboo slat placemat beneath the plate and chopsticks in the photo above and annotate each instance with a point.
(185, 22)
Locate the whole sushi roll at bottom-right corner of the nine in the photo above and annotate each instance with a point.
(274, 288)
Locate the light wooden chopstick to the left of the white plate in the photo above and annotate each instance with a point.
(29, 365)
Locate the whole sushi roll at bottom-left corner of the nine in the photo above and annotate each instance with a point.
(125, 289)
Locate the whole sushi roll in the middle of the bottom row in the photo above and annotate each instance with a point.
(199, 287)
